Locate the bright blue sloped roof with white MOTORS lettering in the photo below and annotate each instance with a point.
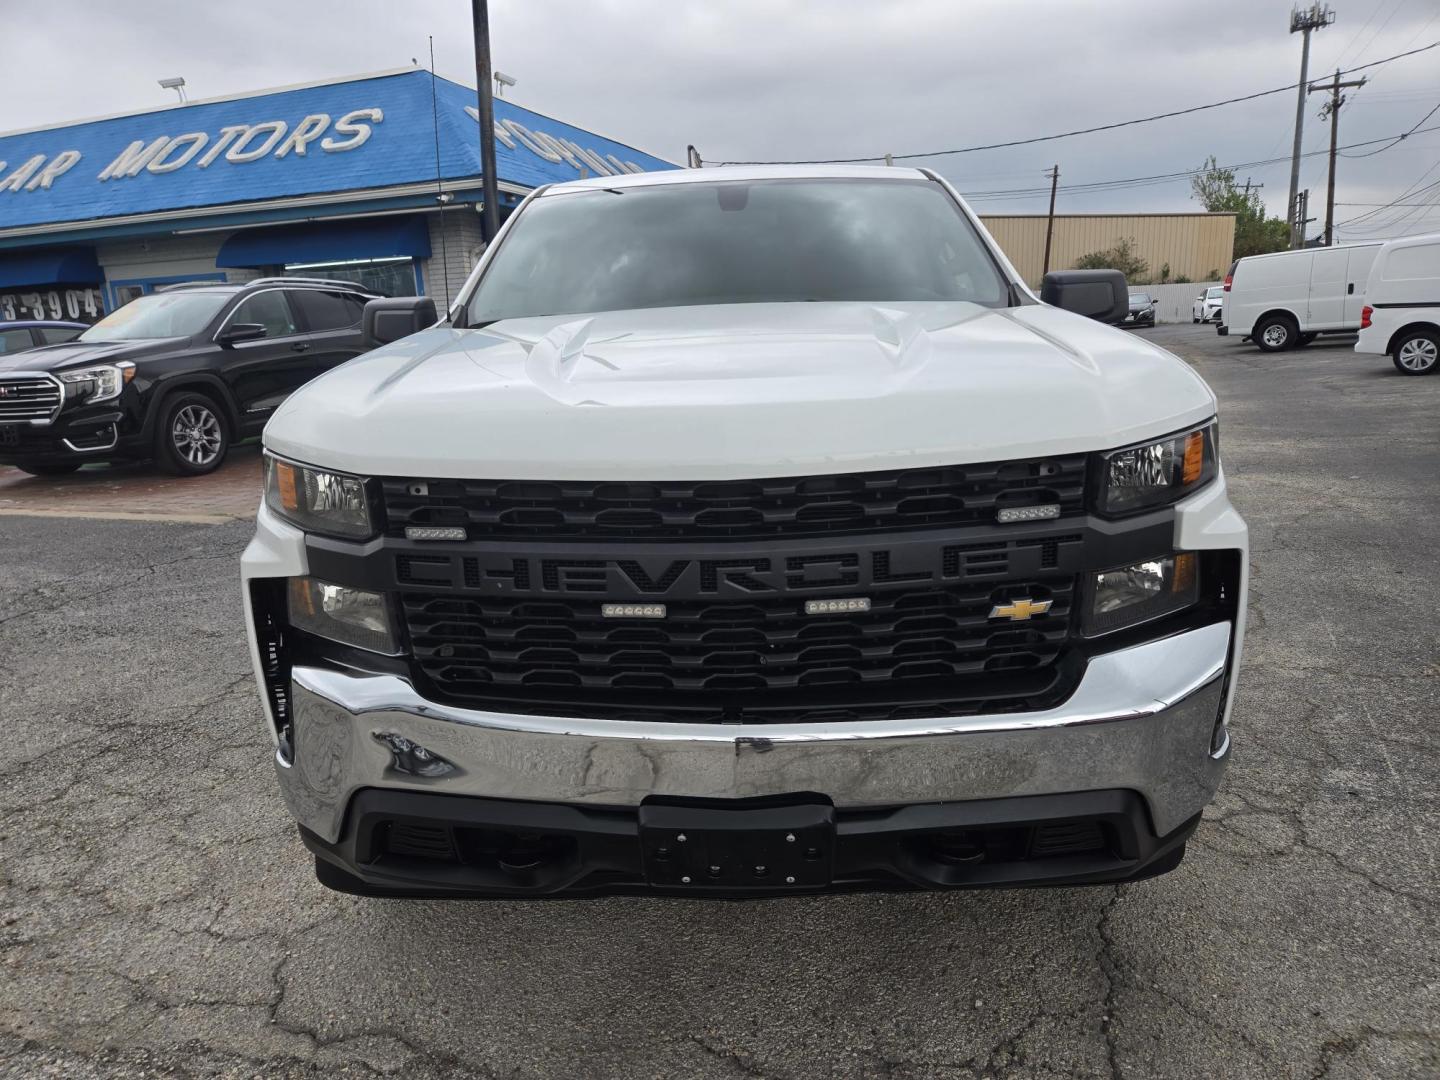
(352, 136)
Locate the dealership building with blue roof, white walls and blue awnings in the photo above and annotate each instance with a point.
(374, 179)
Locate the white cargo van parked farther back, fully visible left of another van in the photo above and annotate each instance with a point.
(1284, 300)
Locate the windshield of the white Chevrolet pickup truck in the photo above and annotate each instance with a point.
(737, 243)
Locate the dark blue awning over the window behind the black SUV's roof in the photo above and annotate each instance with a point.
(364, 238)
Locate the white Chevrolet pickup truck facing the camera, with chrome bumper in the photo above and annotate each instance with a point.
(747, 532)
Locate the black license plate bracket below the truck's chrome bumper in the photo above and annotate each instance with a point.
(754, 847)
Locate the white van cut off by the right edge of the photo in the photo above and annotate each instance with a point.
(1402, 313)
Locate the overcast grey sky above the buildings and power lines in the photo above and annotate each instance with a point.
(762, 80)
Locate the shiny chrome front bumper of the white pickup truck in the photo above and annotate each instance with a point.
(1143, 719)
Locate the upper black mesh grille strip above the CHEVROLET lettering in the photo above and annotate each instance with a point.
(859, 503)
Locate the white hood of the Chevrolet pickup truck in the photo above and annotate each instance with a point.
(739, 391)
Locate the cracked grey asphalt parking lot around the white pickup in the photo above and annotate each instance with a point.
(159, 917)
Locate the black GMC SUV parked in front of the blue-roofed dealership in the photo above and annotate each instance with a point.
(175, 377)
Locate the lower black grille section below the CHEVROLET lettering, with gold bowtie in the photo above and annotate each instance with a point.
(915, 653)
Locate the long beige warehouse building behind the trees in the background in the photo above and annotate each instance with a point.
(1196, 246)
